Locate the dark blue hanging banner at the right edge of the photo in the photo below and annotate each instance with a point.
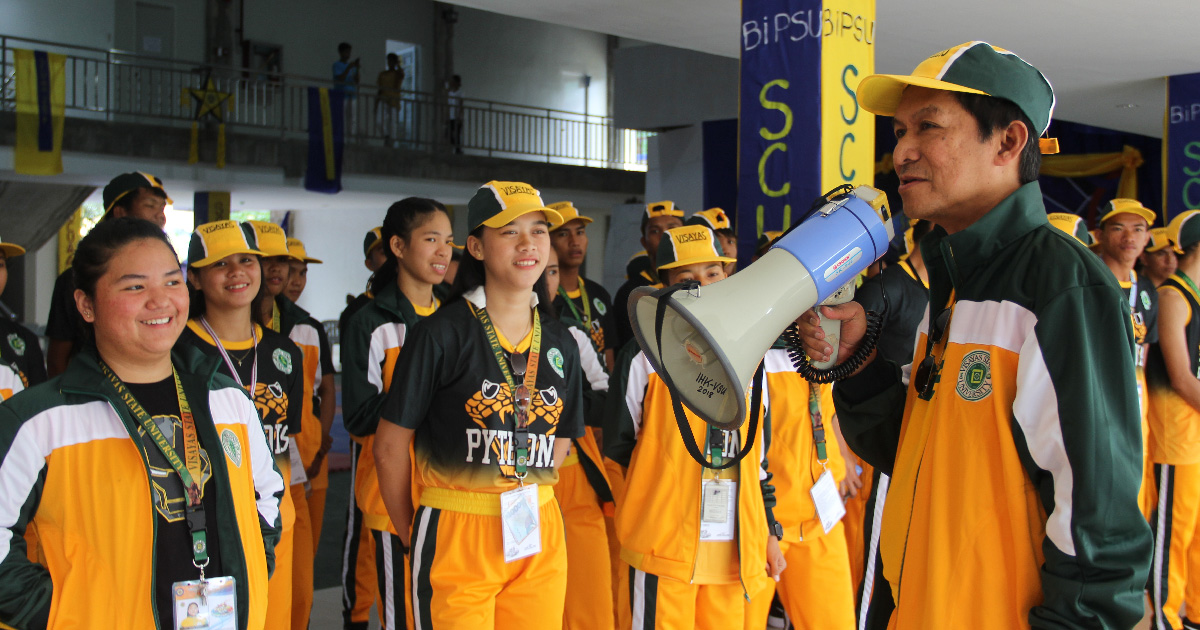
(1181, 146)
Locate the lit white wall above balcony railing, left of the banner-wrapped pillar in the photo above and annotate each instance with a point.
(523, 62)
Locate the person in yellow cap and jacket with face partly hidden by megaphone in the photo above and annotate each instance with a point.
(709, 548)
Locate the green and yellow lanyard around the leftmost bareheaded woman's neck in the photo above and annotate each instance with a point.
(190, 472)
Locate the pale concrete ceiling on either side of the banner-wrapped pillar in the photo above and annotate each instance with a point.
(1106, 58)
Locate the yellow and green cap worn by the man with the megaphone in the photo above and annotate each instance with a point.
(973, 68)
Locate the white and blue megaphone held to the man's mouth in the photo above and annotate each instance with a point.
(715, 338)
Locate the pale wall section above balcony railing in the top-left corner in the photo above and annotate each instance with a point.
(88, 23)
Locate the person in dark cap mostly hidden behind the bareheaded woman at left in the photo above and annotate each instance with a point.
(137, 195)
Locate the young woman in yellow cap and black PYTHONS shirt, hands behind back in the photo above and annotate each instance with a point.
(488, 397)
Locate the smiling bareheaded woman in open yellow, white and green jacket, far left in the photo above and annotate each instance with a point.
(129, 458)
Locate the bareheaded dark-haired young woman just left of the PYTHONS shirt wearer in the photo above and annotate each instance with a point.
(417, 242)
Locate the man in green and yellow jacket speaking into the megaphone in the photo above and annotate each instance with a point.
(1013, 439)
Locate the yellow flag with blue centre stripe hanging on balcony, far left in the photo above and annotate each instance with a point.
(41, 103)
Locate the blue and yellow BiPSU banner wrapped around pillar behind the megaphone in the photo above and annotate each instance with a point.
(801, 131)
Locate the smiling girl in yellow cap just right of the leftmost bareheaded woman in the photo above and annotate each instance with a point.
(225, 273)
